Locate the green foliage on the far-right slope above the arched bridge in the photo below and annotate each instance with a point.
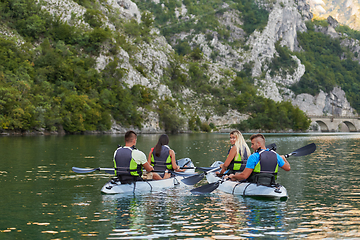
(326, 66)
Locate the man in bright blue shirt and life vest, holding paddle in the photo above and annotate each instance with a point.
(262, 165)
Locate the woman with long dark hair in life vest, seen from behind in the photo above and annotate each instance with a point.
(162, 158)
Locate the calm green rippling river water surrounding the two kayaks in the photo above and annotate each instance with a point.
(43, 199)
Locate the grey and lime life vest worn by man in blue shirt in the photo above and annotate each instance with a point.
(265, 171)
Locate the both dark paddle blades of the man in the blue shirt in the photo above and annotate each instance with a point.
(208, 188)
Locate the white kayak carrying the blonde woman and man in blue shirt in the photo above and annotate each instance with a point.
(246, 188)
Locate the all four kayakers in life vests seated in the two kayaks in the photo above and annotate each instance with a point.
(260, 167)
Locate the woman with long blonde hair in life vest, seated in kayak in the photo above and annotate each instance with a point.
(237, 154)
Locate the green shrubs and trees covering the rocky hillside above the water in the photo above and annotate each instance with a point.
(49, 79)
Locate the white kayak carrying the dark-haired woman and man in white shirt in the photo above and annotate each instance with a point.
(114, 186)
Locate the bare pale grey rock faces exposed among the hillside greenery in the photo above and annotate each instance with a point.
(286, 18)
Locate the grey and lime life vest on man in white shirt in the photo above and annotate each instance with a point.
(124, 164)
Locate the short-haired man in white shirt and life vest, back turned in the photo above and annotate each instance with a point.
(128, 161)
